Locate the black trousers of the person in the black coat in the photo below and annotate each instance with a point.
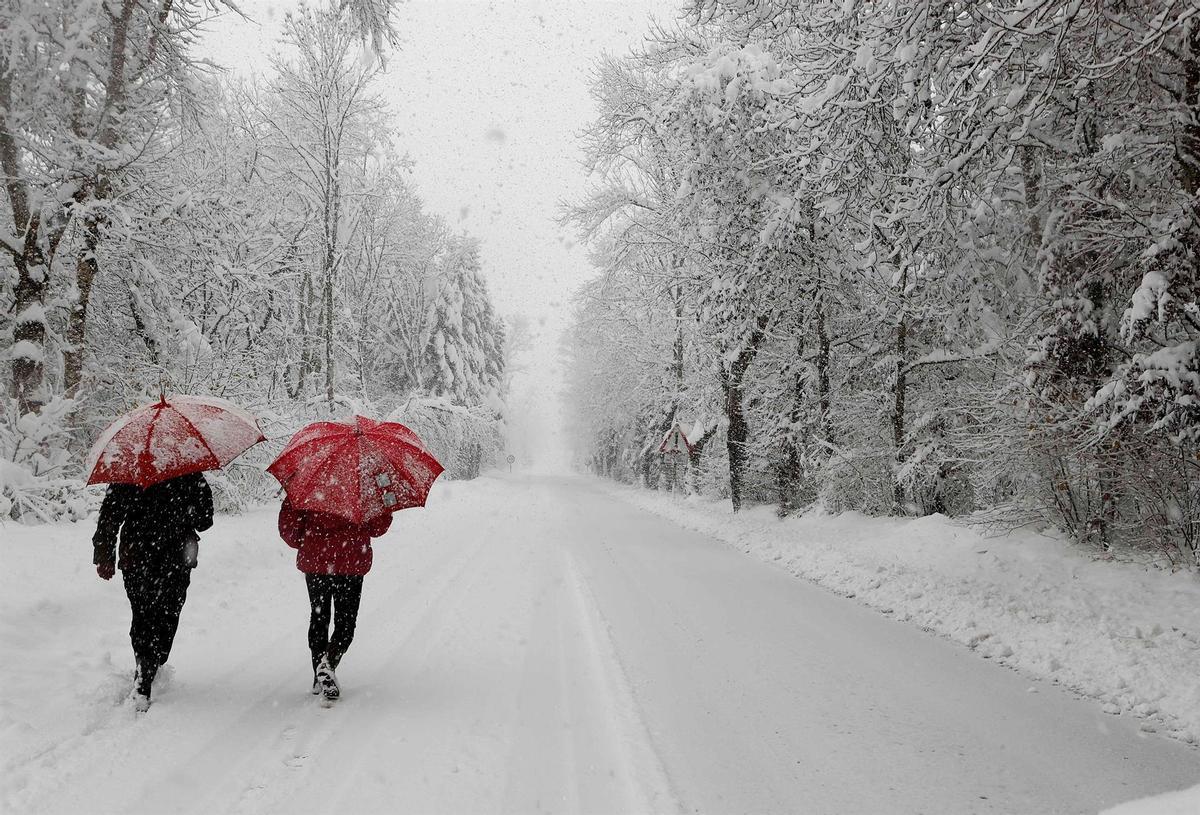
(157, 600)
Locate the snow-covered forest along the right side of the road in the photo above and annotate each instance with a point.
(903, 259)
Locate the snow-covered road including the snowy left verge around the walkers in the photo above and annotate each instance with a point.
(525, 646)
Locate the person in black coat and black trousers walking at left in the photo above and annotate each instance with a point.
(159, 541)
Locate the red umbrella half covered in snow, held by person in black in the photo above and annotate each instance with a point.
(176, 436)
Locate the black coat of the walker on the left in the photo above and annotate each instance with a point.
(154, 523)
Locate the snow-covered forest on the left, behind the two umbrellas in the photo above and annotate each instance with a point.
(169, 227)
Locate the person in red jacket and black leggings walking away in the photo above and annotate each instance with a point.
(334, 555)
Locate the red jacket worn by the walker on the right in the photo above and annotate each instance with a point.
(327, 544)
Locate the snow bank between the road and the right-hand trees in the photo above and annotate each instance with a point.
(1126, 636)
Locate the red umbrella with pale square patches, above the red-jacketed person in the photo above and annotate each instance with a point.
(358, 470)
